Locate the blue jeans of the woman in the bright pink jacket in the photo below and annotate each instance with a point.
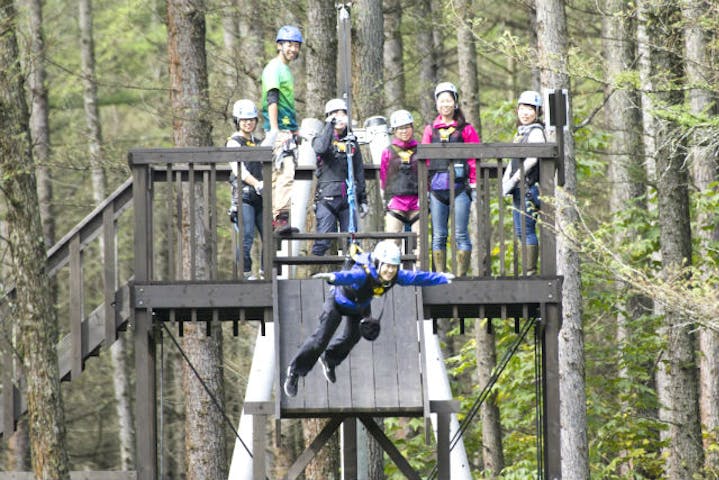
(440, 220)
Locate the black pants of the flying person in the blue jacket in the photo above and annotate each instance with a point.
(318, 342)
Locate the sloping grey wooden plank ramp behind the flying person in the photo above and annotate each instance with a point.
(383, 377)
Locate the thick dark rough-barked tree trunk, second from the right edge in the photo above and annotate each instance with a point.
(685, 456)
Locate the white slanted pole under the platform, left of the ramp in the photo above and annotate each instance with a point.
(259, 389)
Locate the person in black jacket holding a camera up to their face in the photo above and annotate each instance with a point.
(333, 147)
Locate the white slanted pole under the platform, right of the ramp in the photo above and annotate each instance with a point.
(439, 389)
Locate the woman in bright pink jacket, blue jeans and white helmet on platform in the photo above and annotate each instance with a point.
(450, 126)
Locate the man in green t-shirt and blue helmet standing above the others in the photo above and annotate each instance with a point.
(278, 109)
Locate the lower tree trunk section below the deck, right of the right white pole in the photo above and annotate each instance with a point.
(492, 451)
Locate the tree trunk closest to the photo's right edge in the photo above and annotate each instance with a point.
(704, 172)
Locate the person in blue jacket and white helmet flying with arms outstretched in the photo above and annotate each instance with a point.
(351, 296)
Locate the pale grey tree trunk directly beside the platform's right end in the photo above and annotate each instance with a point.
(553, 55)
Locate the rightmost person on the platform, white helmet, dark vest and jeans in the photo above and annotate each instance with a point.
(529, 130)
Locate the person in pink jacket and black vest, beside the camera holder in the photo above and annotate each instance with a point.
(398, 177)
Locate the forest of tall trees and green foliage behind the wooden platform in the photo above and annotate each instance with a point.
(643, 195)
